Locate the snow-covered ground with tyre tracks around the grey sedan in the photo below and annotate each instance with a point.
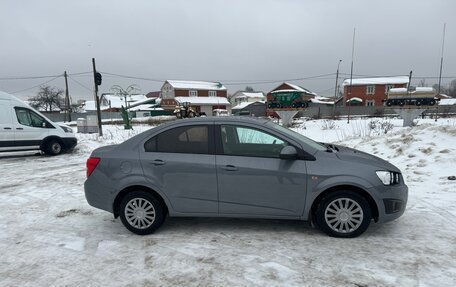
(50, 236)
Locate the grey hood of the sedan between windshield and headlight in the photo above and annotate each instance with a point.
(353, 155)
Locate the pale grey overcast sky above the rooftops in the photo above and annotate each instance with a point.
(236, 42)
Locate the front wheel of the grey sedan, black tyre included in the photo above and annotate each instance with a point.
(343, 214)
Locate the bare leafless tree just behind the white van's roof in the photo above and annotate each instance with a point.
(48, 99)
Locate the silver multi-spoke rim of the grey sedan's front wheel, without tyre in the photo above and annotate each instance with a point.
(344, 215)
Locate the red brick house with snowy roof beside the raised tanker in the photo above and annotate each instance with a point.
(371, 91)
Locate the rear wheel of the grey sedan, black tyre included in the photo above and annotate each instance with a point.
(141, 212)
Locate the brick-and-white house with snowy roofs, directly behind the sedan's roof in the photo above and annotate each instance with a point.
(203, 96)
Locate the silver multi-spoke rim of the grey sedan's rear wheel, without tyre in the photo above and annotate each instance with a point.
(140, 213)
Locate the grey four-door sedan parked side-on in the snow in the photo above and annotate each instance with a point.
(242, 167)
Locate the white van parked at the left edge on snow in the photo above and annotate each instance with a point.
(24, 128)
